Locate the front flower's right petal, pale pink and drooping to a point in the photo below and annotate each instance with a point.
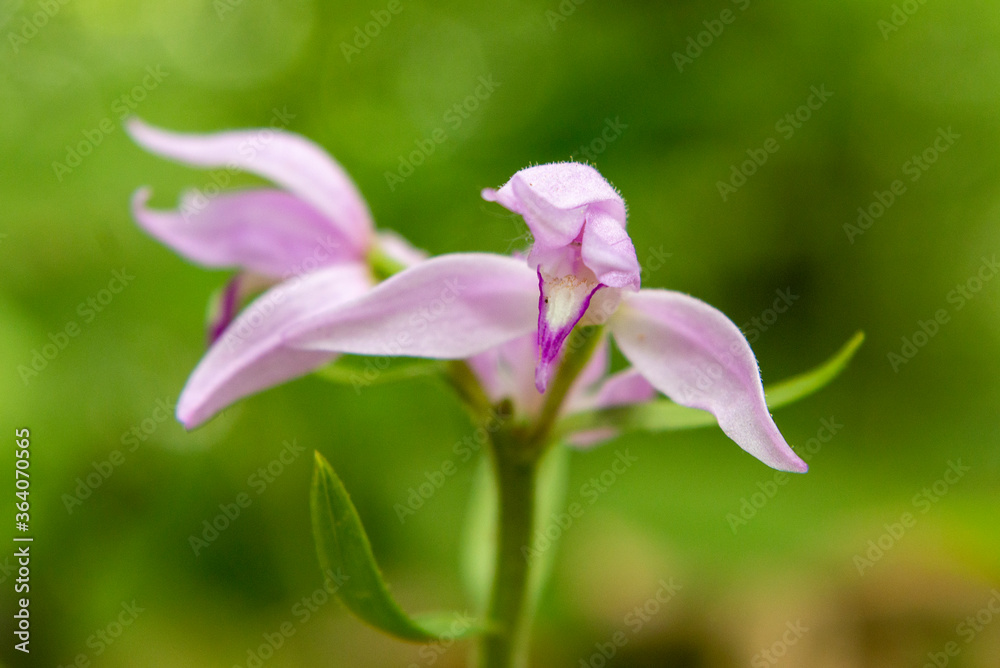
(696, 356)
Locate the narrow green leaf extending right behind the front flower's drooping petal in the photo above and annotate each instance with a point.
(665, 415)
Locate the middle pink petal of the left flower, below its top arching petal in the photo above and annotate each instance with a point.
(265, 231)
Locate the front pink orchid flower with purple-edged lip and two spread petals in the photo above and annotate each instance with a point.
(583, 269)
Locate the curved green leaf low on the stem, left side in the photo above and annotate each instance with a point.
(346, 556)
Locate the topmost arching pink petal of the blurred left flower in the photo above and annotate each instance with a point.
(287, 159)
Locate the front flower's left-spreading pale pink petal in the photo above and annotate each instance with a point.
(448, 307)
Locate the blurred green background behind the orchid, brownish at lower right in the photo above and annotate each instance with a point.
(788, 586)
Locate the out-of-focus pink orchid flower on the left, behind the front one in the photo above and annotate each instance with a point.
(310, 238)
